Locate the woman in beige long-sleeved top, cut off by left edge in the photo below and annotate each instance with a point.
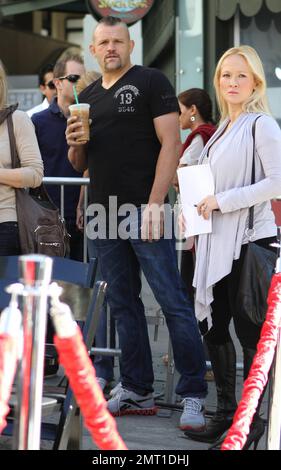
(29, 175)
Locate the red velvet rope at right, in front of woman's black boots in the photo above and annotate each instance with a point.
(258, 375)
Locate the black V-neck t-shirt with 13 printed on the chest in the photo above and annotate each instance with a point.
(124, 148)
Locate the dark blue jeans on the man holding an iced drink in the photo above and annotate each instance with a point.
(120, 263)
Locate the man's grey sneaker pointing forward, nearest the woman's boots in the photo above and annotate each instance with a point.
(193, 414)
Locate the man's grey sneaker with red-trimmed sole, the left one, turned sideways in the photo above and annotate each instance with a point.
(126, 402)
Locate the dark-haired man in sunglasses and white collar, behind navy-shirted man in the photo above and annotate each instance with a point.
(47, 88)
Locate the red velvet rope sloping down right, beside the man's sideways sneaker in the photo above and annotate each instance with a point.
(82, 378)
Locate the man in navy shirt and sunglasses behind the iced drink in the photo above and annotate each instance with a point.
(50, 126)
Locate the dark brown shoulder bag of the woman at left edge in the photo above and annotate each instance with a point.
(41, 228)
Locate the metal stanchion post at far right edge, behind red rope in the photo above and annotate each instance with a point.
(274, 420)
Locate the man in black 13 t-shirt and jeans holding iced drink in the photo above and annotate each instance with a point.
(132, 156)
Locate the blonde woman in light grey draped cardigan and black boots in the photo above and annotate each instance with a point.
(241, 94)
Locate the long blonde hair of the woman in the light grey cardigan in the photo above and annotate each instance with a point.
(257, 103)
